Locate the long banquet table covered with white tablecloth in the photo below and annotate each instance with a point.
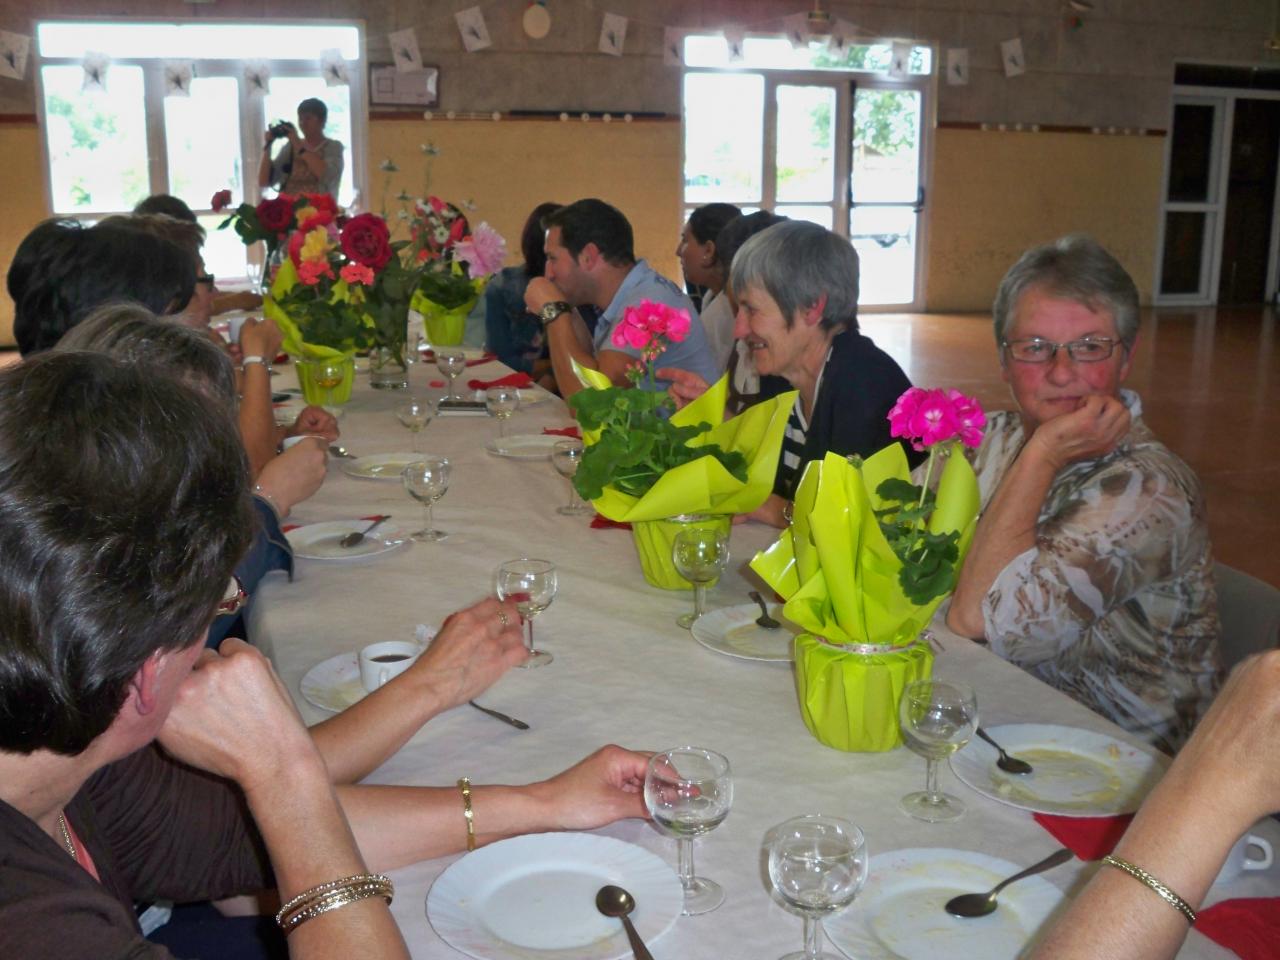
(624, 673)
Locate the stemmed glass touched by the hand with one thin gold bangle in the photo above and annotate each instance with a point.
(689, 792)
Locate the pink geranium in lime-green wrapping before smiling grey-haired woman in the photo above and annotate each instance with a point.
(657, 468)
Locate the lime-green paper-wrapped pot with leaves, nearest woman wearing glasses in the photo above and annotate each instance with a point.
(862, 606)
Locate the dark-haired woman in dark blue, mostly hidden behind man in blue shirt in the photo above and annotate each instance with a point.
(511, 332)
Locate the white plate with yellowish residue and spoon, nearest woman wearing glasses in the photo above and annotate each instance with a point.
(1076, 772)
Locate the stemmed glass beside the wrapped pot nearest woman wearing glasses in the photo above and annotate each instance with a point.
(938, 717)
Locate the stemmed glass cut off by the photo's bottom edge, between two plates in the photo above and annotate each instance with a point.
(819, 865)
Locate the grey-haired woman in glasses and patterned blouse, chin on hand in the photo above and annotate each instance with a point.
(1091, 566)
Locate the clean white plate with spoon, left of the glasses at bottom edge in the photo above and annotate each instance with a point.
(534, 897)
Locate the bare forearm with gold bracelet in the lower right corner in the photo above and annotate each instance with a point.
(1224, 780)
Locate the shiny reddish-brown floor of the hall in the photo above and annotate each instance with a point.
(1210, 382)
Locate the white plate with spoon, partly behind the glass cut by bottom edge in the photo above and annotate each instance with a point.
(900, 913)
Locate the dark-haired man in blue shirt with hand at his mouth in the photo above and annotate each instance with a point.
(591, 262)
